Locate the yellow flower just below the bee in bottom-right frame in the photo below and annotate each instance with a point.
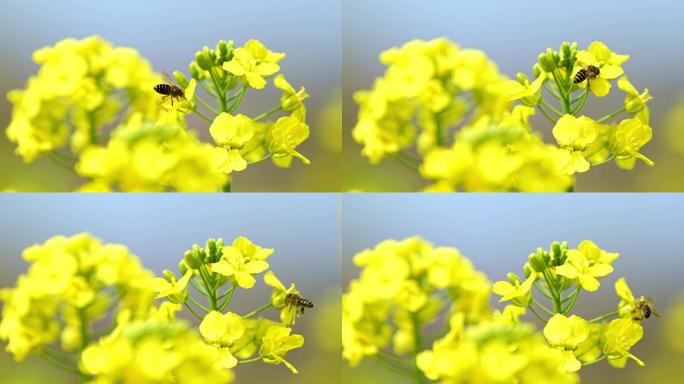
(620, 336)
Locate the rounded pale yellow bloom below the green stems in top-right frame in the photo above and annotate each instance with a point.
(574, 135)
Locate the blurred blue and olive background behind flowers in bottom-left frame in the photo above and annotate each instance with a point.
(303, 229)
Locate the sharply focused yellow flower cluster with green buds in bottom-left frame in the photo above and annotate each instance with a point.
(216, 272)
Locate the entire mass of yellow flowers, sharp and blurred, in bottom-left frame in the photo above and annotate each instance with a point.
(76, 285)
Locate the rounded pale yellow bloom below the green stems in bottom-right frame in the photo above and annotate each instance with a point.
(566, 334)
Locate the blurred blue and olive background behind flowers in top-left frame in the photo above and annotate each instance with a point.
(167, 34)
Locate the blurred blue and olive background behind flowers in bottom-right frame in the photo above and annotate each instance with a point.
(498, 232)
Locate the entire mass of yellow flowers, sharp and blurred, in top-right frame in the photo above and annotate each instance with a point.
(436, 101)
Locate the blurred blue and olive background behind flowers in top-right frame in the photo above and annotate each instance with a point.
(513, 33)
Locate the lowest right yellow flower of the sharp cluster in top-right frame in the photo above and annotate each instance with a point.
(630, 136)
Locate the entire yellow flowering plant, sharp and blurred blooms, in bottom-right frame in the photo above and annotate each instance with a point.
(423, 312)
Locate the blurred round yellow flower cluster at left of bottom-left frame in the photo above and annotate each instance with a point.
(72, 282)
